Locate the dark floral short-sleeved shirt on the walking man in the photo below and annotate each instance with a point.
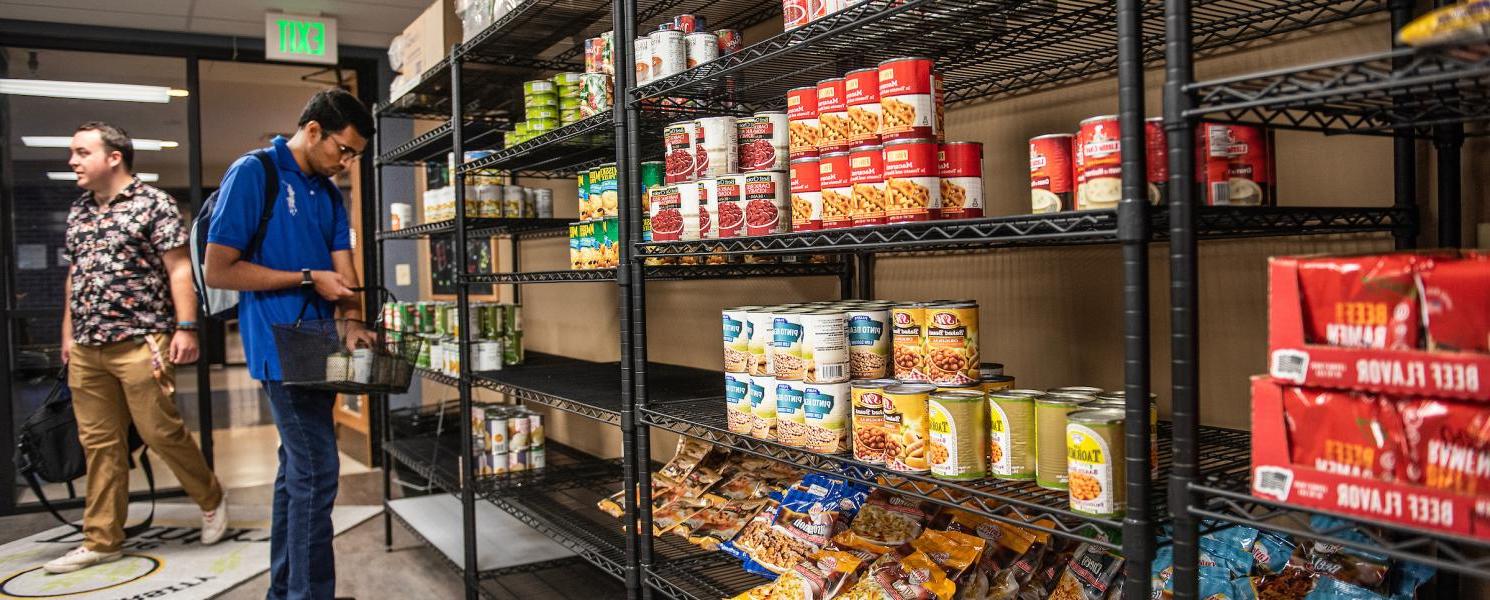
(120, 284)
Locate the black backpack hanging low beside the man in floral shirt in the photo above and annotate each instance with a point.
(48, 450)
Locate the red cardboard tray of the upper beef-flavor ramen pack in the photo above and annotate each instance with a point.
(1407, 373)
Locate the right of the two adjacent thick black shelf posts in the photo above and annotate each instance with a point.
(1184, 294)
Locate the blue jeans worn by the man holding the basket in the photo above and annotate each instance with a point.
(302, 562)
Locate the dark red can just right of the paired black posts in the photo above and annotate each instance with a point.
(1236, 165)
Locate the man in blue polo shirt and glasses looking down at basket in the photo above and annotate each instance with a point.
(305, 255)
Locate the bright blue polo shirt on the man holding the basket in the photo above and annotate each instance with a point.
(309, 224)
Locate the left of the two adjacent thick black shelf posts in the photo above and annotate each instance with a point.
(1133, 233)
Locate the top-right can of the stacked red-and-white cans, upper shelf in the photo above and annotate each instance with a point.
(908, 99)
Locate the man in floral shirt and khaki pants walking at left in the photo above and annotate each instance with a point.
(130, 321)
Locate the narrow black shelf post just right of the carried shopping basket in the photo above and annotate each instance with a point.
(464, 343)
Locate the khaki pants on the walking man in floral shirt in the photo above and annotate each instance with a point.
(115, 385)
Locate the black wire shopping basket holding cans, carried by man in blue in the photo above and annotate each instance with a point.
(315, 355)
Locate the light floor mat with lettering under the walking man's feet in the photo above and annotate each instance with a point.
(166, 562)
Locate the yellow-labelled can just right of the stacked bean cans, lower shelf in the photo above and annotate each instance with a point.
(959, 430)
